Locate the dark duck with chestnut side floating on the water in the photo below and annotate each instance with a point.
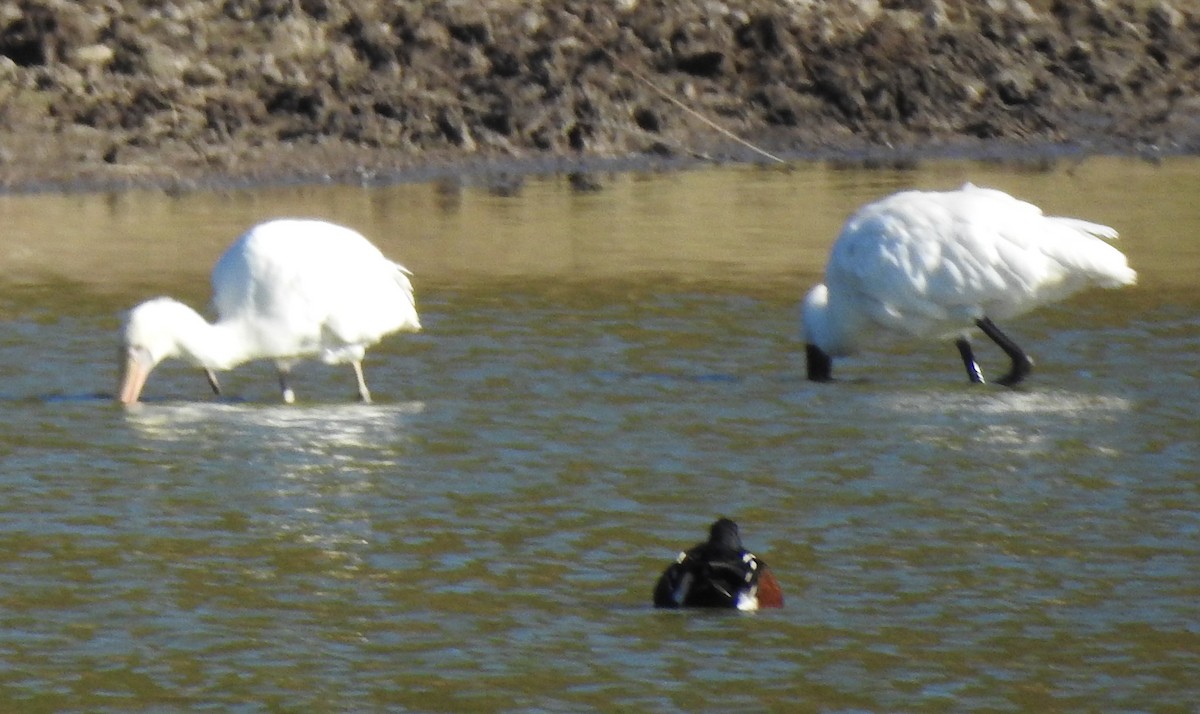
(719, 573)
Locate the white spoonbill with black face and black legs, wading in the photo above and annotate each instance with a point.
(928, 265)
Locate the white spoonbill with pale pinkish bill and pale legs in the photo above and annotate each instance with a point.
(285, 291)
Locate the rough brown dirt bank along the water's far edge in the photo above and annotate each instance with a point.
(185, 92)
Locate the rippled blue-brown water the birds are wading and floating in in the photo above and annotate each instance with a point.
(602, 375)
